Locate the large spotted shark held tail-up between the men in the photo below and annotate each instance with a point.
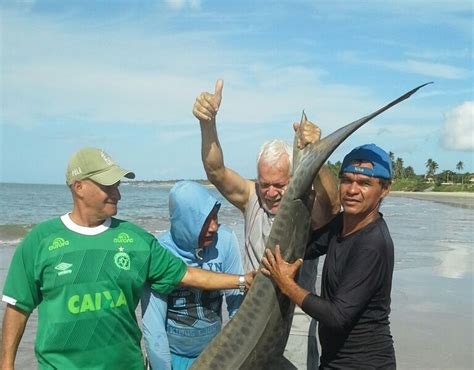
(256, 337)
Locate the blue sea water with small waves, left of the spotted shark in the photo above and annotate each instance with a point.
(24, 205)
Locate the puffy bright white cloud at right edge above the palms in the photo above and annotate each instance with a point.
(458, 129)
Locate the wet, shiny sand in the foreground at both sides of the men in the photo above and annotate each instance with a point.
(431, 321)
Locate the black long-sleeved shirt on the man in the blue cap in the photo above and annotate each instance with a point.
(354, 307)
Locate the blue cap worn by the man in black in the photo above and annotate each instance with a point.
(382, 165)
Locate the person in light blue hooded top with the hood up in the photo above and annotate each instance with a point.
(179, 326)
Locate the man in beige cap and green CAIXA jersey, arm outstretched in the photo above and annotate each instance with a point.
(85, 272)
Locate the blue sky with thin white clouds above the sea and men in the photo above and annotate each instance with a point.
(124, 75)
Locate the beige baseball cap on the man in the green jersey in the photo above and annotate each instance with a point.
(96, 165)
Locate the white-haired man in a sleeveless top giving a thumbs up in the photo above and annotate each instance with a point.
(259, 201)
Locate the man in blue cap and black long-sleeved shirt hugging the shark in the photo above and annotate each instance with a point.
(354, 306)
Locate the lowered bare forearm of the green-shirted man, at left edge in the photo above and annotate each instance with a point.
(14, 323)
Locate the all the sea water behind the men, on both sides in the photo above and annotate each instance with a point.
(425, 233)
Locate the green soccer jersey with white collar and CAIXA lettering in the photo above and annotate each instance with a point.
(87, 283)
